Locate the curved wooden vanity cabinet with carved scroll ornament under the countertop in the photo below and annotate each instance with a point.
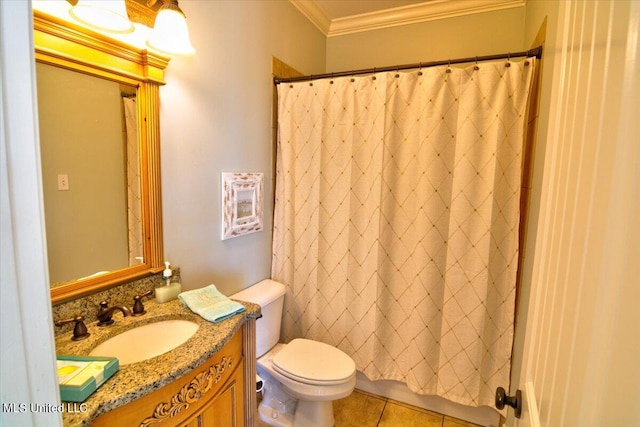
(211, 395)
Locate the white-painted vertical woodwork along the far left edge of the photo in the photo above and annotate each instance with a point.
(27, 352)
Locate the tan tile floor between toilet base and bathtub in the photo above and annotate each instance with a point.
(362, 409)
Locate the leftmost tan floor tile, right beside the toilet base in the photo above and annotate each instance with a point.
(358, 410)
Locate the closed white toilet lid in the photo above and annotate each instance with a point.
(313, 362)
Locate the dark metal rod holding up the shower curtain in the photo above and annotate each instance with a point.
(537, 52)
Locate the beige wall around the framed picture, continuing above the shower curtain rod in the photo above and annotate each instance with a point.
(216, 112)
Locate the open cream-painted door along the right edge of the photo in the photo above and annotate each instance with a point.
(581, 359)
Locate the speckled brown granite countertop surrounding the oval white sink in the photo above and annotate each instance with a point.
(138, 379)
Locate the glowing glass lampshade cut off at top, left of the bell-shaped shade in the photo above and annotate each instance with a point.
(106, 15)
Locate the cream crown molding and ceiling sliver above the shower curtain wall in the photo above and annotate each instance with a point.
(340, 17)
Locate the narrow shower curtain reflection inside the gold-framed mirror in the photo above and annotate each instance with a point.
(134, 202)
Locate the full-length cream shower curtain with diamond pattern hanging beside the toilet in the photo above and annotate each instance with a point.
(396, 221)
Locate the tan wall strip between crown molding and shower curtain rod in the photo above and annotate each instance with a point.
(466, 36)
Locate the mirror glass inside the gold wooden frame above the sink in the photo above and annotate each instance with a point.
(90, 173)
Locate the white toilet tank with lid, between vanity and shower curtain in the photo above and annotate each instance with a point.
(269, 294)
